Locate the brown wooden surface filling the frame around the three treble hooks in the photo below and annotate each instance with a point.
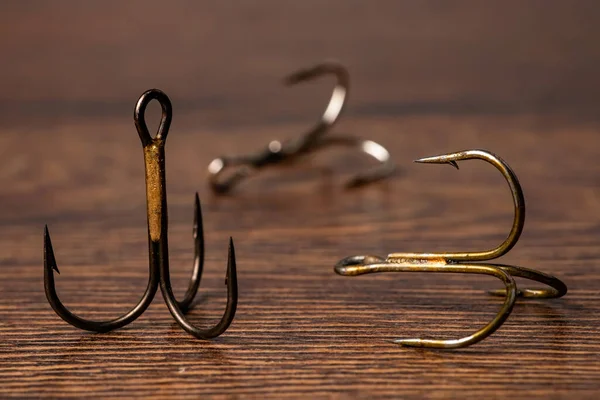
(517, 78)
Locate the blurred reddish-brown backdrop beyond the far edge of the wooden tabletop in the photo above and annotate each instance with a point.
(222, 62)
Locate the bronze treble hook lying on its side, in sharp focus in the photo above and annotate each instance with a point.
(462, 262)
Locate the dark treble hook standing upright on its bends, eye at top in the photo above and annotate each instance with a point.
(158, 244)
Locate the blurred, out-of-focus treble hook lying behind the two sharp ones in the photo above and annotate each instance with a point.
(278, 152)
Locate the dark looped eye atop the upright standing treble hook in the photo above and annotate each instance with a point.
(140, 118)
